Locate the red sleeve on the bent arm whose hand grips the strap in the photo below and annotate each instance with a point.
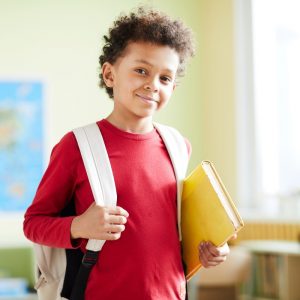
(42, 222)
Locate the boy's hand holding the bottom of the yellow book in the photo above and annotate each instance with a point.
(210, 255)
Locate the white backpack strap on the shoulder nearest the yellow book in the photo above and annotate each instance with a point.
(179, 156)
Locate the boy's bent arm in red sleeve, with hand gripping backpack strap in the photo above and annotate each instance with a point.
(43, 222)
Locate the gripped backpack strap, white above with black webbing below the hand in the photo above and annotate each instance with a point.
(99, 172)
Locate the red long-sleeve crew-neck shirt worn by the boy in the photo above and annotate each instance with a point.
(145, 263)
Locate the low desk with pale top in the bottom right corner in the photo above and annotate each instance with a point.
(275, 269)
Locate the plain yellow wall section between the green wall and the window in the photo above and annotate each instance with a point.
(217, 87)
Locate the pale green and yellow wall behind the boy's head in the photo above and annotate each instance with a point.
(59, 42)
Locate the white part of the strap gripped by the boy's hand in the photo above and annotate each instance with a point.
(98, 168)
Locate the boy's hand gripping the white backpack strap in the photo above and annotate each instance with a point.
(102, 223)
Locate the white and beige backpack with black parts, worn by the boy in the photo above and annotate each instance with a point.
(63, 273)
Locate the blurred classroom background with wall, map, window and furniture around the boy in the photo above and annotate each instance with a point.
(238, 104)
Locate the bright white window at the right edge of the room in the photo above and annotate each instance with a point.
(269, 105)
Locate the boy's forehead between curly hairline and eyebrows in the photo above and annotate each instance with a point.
(155, 55)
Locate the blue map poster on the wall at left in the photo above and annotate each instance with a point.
(21, 143)
